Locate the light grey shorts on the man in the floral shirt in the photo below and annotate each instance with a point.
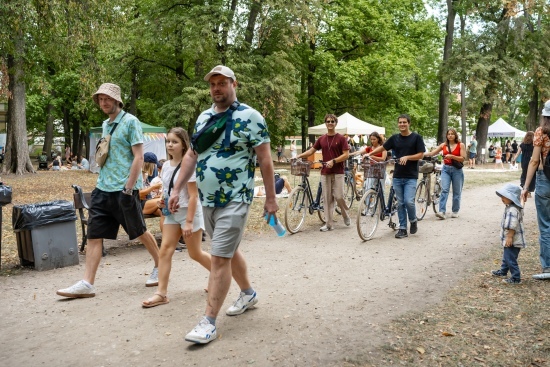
(225, 226)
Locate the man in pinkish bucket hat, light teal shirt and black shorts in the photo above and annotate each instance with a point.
(115, 200)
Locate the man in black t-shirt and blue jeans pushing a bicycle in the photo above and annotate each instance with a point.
(408, 148)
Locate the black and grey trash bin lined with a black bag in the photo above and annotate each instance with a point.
(46, 234)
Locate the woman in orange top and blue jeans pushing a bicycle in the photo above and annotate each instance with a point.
(453, 150)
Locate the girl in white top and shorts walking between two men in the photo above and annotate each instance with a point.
(188, 220)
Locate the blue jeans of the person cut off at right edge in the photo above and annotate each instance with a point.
(542, 202)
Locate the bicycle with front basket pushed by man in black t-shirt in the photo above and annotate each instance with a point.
(372, 206)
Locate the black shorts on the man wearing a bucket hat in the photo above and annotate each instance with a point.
(110, 210)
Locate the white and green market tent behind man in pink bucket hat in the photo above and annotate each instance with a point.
(154, 138)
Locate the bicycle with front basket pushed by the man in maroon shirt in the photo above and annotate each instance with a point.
(301, 200)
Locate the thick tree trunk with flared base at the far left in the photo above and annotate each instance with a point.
(17, 159)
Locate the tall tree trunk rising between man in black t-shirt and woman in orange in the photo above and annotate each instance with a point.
(444, 82)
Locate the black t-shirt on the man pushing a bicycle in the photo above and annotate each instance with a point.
(402, 146)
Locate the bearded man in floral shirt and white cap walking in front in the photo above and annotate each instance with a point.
(226, 190)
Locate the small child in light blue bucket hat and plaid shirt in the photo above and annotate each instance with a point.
(511, 233)
